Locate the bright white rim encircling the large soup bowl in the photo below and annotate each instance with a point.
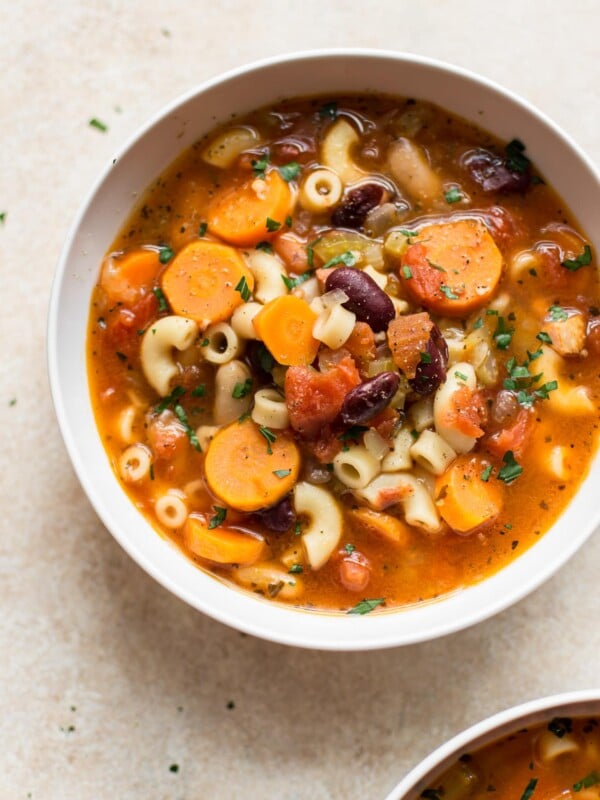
(319, 634)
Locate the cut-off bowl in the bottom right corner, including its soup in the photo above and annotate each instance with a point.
(547, 749)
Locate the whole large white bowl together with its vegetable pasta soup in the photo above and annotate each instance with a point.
(341, 354)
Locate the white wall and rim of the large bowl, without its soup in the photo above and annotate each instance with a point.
(103, 213)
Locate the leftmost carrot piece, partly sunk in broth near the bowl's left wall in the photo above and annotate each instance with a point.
(125, 278)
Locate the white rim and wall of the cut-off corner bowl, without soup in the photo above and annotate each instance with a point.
(573, 704)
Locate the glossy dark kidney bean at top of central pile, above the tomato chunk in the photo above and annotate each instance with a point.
(365, 299)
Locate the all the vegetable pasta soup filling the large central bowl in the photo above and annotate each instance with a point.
(345, 353)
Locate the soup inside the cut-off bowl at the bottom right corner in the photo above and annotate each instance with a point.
(557, 759)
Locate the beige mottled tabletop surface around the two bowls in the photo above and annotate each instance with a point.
(105, 679)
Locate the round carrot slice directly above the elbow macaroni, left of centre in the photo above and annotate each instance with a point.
(200, 282)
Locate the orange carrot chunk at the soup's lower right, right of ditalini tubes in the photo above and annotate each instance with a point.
(464, 499)
